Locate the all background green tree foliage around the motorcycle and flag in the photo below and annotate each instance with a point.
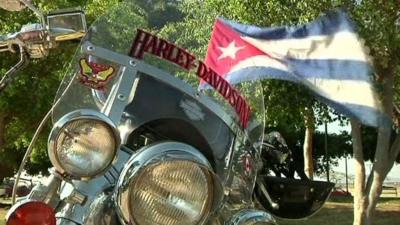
(189, 24)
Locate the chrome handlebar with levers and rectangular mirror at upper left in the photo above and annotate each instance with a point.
(35, 41)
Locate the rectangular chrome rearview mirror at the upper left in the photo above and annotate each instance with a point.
(66, 25)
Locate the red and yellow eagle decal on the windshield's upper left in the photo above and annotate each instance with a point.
(95, 75)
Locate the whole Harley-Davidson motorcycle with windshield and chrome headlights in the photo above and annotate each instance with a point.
(136, 142)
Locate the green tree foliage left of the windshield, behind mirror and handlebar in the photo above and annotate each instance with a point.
(30, 96)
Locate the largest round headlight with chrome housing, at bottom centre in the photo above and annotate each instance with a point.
(167, 183)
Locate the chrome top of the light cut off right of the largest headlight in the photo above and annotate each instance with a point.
(250, 216)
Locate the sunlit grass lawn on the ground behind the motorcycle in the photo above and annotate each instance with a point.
(336, 212)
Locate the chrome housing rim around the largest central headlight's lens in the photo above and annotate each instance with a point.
(156, 153)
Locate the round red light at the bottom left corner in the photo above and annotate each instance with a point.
(31, 213)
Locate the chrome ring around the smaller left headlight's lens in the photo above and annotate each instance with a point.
(72, 116)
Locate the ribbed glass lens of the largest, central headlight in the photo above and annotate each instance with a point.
(175, 193)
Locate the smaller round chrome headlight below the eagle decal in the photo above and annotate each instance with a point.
(83, 144)
